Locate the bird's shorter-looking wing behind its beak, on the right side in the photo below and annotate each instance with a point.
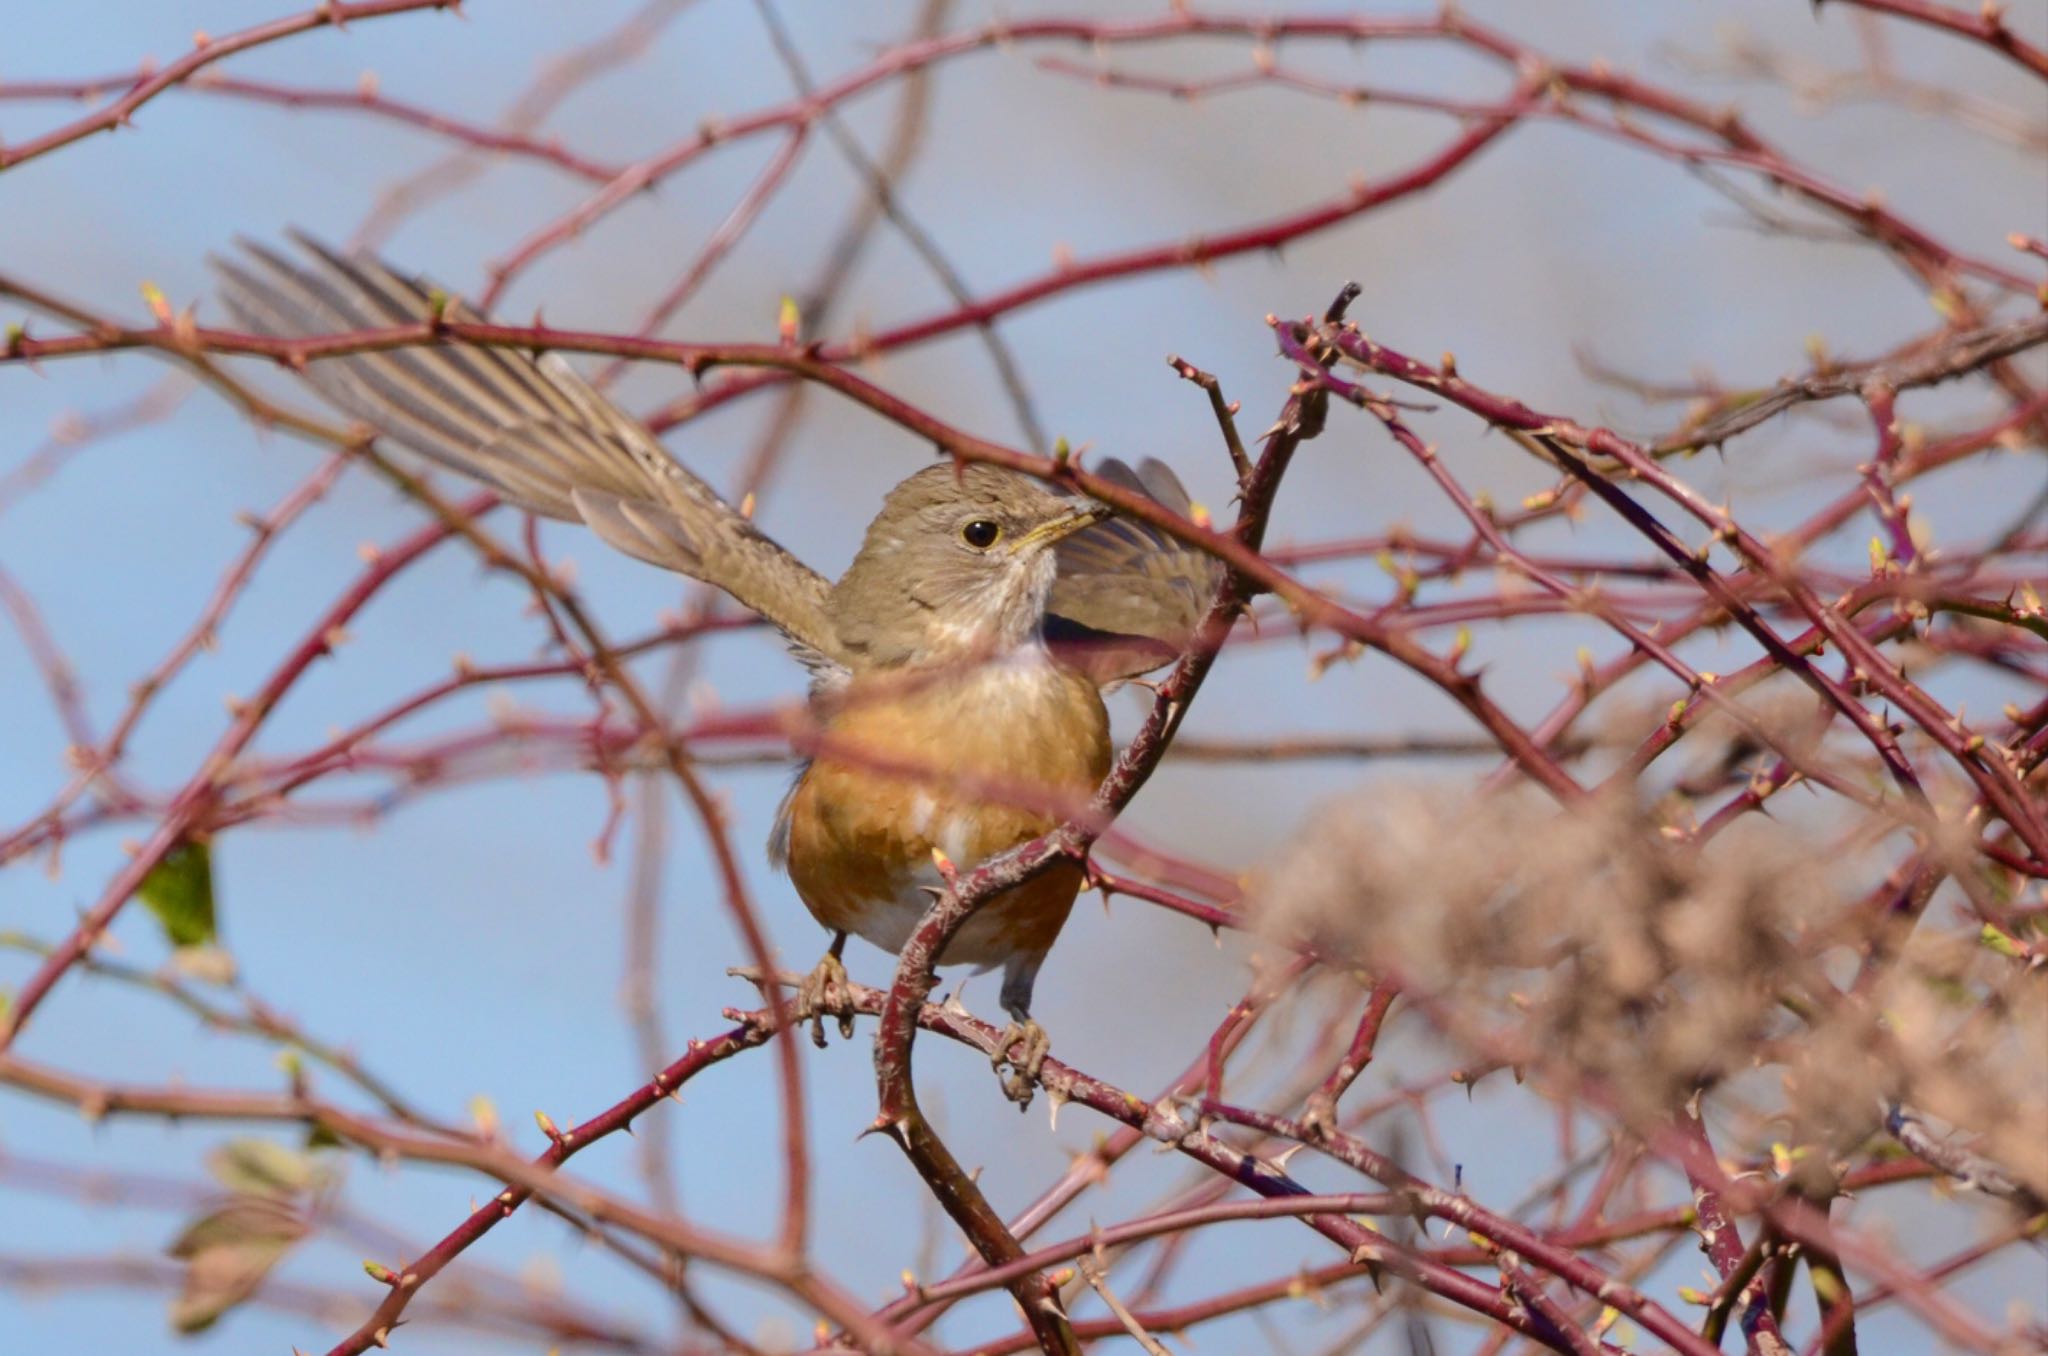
(1129, 597)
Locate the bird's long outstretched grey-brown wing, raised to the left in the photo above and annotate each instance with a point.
(527, 427)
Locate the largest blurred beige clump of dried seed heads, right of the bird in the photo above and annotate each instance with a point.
(1584, 941)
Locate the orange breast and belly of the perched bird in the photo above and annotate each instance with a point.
(968, 763)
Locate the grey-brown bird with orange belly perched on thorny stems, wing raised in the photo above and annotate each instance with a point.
(957, 667)
